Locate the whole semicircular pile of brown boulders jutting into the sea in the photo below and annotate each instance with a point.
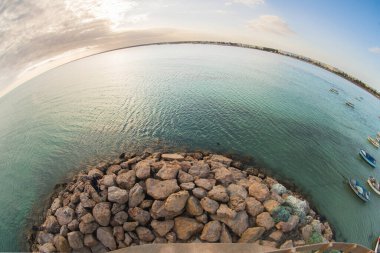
(168, 198)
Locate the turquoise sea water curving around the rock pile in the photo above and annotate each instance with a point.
(276, 109)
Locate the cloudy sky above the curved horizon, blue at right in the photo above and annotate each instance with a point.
(38, 35)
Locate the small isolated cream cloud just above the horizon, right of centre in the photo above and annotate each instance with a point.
(270, 24)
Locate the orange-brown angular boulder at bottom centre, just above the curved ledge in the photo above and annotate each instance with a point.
(185, 227)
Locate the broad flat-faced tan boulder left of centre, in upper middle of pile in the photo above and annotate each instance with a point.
(161, 189)
